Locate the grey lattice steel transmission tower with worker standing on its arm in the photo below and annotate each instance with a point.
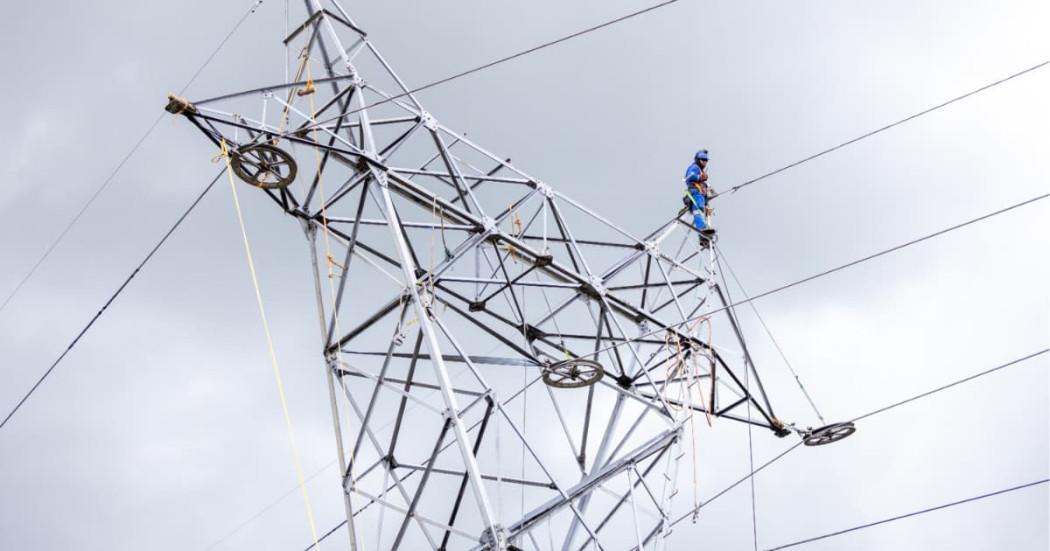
(507, 368)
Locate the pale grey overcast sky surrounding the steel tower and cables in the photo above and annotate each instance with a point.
(162, 430)
